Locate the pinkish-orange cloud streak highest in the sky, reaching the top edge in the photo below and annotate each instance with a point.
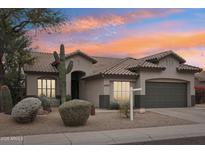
(88, 23)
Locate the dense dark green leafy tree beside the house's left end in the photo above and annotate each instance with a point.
(15, 60)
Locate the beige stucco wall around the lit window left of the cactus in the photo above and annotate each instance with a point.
(32, 81)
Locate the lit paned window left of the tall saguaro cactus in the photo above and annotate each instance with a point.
(47, 87)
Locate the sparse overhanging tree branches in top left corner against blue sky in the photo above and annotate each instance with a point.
(15, 23)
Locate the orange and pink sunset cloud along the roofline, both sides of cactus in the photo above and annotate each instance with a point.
(186, 44)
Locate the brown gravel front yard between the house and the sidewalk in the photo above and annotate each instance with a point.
(52, 123)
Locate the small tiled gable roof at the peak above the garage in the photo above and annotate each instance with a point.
(161, 55)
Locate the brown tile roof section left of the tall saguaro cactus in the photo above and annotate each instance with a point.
(42, 64)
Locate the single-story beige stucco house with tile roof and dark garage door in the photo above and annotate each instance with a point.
(165, 79)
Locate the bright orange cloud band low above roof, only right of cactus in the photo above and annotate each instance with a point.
(144, 44)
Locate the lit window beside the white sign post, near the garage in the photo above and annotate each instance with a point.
(121, 92)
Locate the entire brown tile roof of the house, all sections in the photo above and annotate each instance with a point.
(107, 65)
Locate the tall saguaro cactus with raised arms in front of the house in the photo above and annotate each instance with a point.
(63, 70)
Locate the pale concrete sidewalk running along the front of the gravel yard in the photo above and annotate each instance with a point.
(110, 137)
